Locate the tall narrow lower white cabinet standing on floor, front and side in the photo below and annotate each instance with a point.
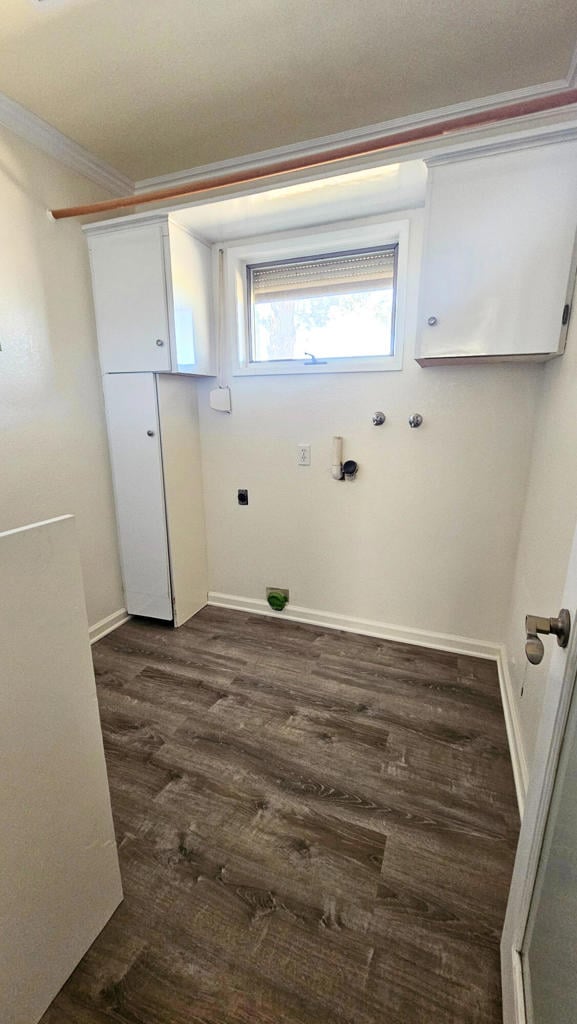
(156, 462)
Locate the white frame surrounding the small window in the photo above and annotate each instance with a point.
(334, 239)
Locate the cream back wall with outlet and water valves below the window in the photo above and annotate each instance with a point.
(426, 538)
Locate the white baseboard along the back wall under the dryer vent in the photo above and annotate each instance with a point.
(367, 627)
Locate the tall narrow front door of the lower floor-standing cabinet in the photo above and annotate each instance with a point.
(138, 476)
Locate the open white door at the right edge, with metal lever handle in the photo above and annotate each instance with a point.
(540, 944)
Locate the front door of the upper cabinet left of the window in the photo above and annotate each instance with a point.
(131, 303)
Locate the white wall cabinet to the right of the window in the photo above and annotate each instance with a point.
(499, 261)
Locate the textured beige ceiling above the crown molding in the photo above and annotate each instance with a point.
(156, 87)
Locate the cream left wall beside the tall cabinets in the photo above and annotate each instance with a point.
(54, 456)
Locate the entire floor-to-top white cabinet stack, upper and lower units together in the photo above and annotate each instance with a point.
(153, 301)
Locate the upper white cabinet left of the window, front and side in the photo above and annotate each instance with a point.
(153, 297)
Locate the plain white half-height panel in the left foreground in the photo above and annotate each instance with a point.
(60, 879)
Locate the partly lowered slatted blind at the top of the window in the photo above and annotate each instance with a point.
(362, 271)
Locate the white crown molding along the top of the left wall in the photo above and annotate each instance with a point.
(38, 133)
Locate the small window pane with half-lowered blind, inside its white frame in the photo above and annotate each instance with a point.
(335, 306)
